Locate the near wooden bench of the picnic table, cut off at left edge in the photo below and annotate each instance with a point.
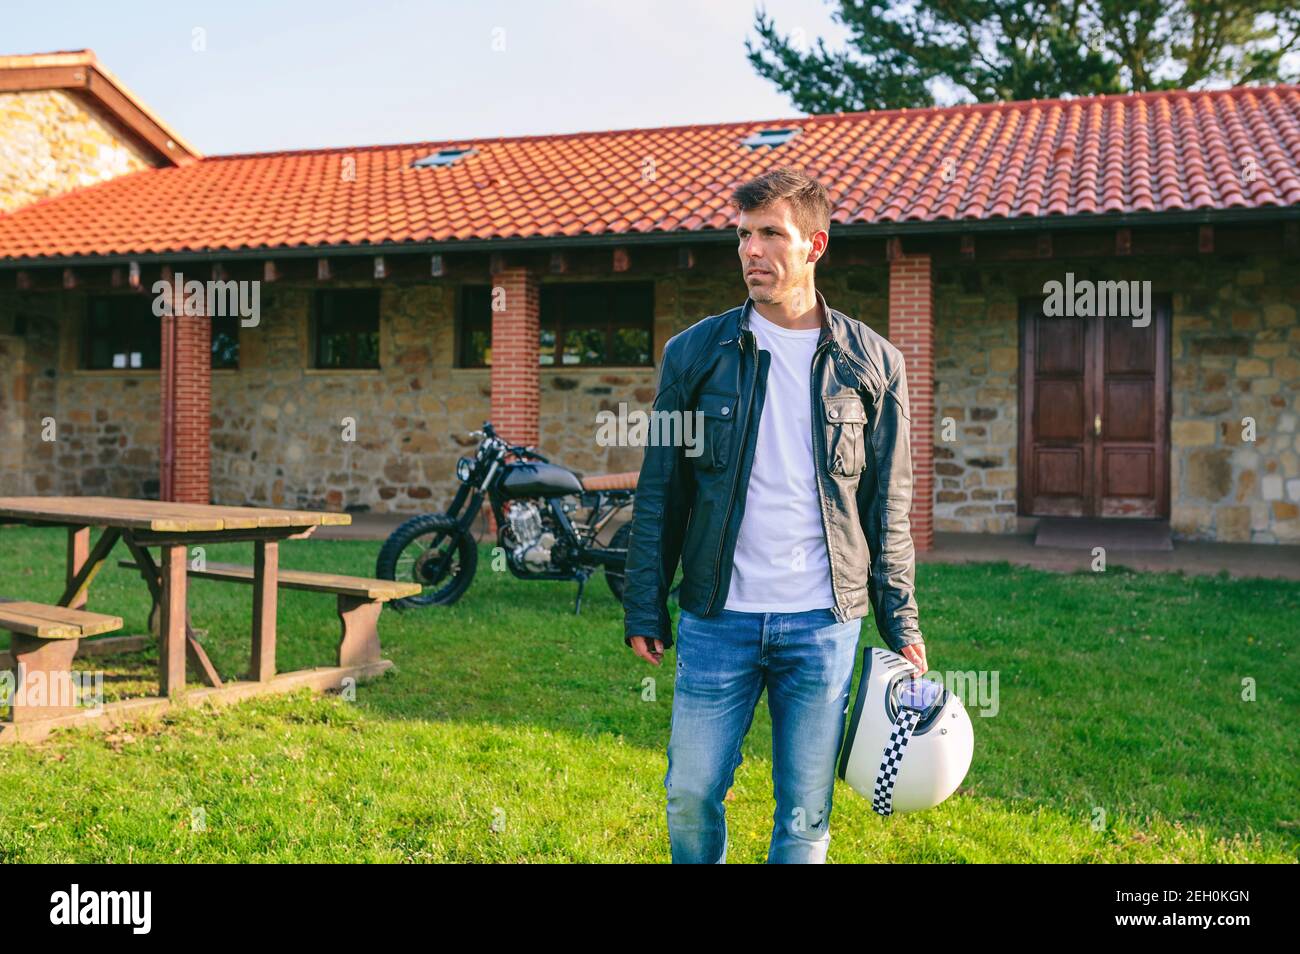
(42, 648)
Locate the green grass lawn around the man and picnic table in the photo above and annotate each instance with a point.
(513, 731)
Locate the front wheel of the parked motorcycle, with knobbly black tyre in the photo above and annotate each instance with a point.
(434, 552)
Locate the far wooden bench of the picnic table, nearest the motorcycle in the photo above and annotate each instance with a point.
(359, 601)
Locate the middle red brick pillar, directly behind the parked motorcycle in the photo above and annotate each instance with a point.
(515, 375)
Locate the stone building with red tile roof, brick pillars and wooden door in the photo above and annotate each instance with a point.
(405, 294)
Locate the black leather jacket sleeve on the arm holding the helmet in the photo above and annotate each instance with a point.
(894, 560)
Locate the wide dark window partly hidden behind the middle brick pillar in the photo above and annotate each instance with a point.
(582, 326)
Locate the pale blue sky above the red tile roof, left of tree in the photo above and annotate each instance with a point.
(254, 77)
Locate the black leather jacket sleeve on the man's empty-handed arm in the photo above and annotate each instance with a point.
(660, 515)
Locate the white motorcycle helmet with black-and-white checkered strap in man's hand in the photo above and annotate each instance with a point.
(909, 741)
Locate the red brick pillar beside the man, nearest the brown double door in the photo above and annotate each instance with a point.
(912, 331)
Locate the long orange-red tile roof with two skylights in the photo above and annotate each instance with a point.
(1150, 153)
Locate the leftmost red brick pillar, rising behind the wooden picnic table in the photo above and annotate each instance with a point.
(187, 405)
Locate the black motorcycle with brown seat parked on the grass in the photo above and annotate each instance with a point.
(532, 501)
